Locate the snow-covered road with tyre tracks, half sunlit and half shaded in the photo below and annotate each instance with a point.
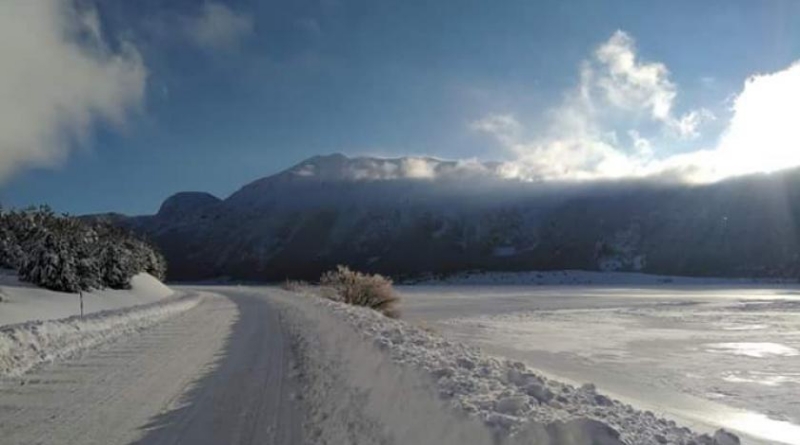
(215, 374)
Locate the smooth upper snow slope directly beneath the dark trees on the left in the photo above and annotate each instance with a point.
(23, 302)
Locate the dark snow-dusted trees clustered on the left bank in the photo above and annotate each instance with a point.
(68, 254)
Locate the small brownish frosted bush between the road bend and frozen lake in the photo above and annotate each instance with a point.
(360, 289)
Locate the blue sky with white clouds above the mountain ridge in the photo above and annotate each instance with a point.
(230, 91)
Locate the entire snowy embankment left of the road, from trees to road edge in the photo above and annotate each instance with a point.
(38, 326)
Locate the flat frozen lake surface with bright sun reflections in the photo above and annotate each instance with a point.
(710, 356)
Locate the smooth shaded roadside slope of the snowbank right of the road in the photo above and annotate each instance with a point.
(354, 394)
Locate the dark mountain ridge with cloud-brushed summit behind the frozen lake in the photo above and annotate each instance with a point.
(415, 215)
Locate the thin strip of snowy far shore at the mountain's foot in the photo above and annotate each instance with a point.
(559, 277)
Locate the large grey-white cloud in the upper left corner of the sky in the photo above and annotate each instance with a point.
(58, 78)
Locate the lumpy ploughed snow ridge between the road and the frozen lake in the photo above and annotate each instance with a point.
(516, 403)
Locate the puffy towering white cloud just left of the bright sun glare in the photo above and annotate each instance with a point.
(578, 143)
